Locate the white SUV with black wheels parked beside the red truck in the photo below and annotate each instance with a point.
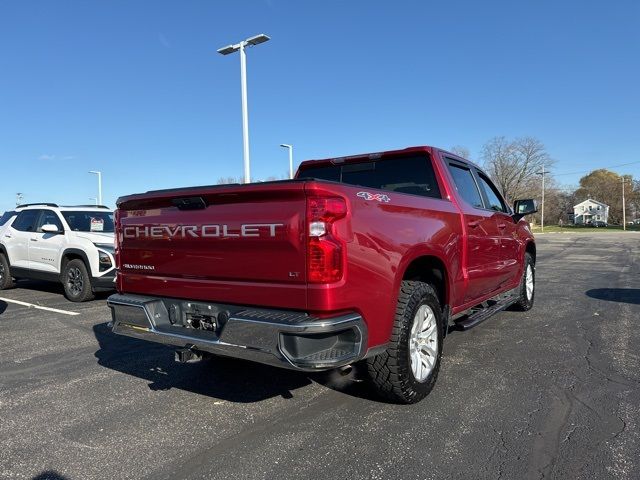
(69, 245)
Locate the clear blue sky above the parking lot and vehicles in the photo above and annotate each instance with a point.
(137, 90)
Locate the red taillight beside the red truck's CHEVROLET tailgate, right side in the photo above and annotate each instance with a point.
(325, 251)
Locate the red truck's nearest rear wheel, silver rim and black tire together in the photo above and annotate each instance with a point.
(407, 370)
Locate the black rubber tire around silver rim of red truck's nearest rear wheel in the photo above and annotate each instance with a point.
(391, 372)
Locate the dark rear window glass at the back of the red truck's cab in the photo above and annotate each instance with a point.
(406, 174)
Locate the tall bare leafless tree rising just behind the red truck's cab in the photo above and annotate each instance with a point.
(513, 164)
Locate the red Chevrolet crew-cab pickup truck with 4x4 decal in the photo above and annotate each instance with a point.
(364, 258)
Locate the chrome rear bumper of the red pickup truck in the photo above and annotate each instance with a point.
(276, 337)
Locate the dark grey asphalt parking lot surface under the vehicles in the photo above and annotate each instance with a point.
(551, 393)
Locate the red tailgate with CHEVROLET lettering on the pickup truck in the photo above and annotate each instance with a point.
(236, 243)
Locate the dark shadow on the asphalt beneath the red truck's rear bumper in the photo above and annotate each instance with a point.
(227, 379)
